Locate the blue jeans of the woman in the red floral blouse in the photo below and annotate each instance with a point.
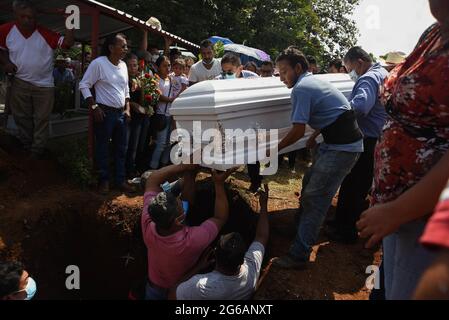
(405, 260)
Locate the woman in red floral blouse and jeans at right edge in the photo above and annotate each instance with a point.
(412, 159)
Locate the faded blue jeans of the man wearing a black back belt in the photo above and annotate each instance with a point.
(320, 184)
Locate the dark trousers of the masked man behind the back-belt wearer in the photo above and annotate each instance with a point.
(354, 190)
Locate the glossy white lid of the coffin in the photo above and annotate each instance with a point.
(224, 96)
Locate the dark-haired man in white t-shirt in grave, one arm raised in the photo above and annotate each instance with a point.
(237, 269)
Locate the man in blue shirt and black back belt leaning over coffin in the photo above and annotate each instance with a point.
(323, 107)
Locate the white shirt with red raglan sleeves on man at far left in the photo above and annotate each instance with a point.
(32, 53)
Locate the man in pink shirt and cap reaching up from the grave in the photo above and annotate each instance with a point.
(173, 249)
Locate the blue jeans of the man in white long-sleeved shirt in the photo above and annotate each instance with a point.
(113, 127)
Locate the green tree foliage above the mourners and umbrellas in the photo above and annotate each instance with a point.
(322, 28)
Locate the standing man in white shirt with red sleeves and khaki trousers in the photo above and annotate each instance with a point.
(26, 52)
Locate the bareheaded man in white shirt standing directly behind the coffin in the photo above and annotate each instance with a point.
(208, 68)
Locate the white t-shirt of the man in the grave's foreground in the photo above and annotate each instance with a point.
(217, 286)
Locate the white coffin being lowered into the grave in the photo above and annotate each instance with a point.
(241, 104)
